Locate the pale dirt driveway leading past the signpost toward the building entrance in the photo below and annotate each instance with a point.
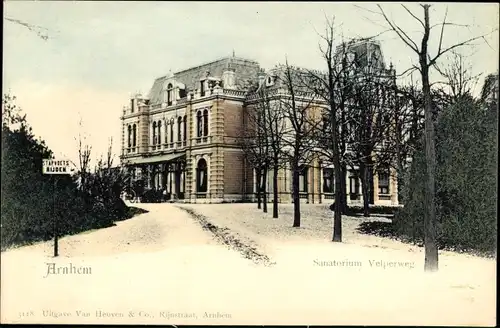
(162, 227)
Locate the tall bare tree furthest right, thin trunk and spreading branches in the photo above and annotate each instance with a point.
(426, 62)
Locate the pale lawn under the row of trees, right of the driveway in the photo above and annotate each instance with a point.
(316, 224)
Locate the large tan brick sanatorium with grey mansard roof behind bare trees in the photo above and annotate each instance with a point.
(184, 137)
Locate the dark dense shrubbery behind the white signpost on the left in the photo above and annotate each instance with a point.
(28, 197)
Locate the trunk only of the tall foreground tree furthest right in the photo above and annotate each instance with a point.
(431, 251)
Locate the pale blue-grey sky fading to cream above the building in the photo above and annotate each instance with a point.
(99, 53)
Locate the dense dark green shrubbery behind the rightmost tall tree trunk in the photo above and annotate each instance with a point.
(466, 178)
